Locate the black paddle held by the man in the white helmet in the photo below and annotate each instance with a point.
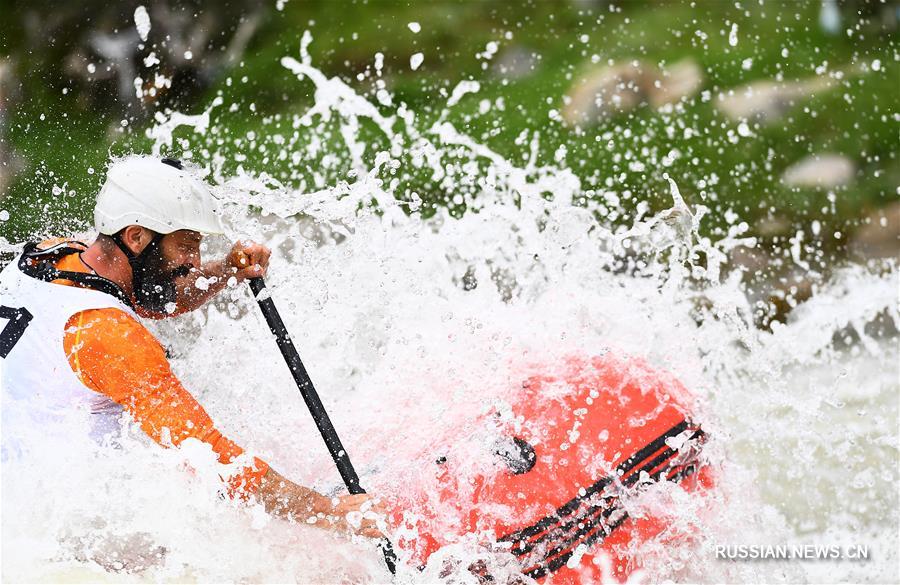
(316, 409)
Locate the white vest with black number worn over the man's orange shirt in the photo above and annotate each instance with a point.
(38, 384)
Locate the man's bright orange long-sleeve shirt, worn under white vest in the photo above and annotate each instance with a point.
(113, 354)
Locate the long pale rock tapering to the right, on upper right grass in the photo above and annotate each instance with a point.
(767, 101)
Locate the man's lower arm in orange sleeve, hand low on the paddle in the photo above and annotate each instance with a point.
(115, 355)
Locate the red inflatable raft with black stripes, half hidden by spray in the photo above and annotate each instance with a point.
(556, 480)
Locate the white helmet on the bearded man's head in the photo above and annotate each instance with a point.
(158, 194)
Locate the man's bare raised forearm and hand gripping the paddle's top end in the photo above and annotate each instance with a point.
(245, 260)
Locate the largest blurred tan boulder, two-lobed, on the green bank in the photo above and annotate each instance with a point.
(614, 89)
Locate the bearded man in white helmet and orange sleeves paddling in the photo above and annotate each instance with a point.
(73, 336)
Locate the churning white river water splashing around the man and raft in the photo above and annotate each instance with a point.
(413, 327)
